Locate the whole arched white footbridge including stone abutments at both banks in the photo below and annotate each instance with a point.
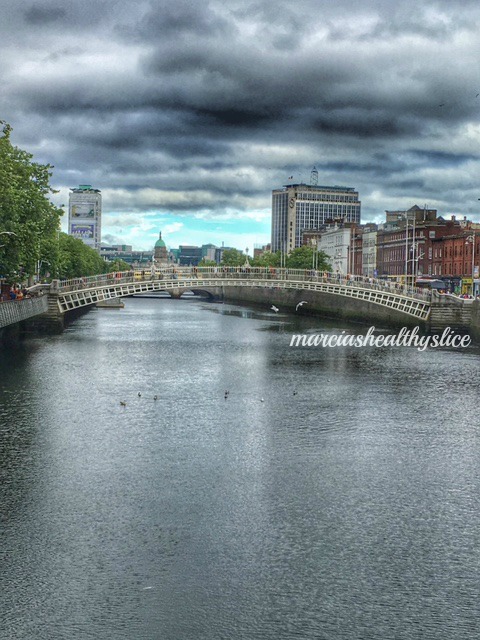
(352, 298)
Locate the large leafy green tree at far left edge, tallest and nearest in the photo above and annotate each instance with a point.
(25, 210)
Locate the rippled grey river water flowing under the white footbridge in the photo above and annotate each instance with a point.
(334, 494)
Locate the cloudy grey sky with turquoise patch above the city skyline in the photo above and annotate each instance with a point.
(187, 114)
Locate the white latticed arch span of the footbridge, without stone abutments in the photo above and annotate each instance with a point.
(269, 284)
